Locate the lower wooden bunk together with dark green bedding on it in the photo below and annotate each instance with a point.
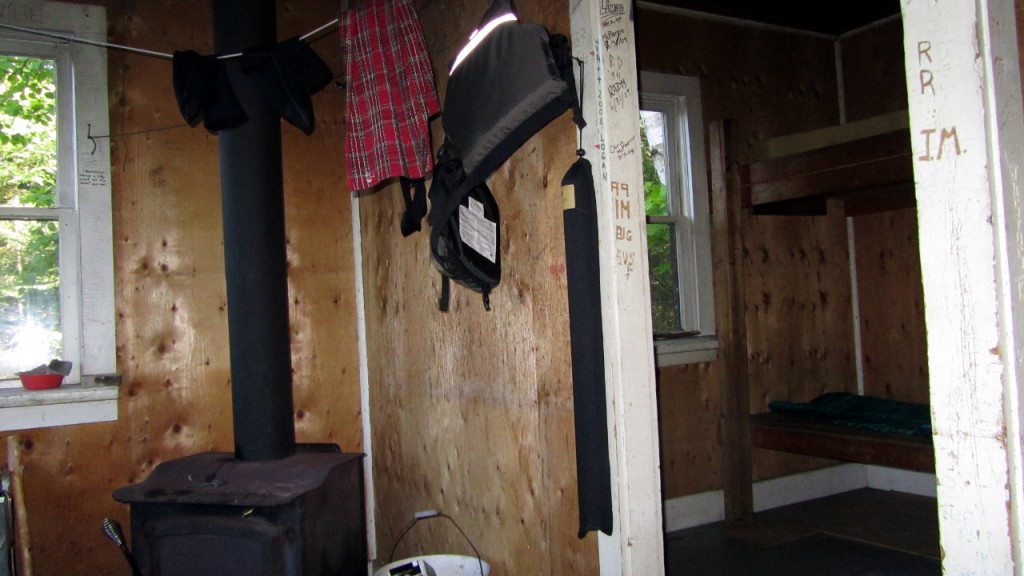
(850, 428)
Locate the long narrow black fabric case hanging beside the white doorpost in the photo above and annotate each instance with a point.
(583, 272)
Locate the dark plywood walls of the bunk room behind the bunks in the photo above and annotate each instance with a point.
(800, 320)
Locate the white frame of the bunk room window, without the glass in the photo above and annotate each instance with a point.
(679, 98)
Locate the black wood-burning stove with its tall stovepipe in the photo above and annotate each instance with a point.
(272, 509)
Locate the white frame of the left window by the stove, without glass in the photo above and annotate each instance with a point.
(84, 212)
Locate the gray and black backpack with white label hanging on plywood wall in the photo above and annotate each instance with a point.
(509, 81)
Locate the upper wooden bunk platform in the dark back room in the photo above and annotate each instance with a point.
(867, 167)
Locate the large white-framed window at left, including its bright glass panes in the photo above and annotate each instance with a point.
(57, 285)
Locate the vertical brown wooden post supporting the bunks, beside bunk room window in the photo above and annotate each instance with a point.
(728, 243)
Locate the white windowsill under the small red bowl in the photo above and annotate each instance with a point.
(70, 404)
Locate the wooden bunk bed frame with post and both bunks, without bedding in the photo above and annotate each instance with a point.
(862, 168)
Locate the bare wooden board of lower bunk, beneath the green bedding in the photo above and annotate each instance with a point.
(803, 436)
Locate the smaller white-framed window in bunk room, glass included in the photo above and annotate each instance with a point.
(678, 227)
